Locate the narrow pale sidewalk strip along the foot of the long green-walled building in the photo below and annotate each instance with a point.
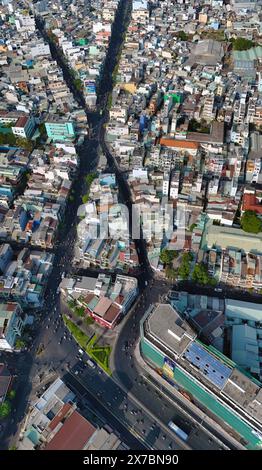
(188, 404)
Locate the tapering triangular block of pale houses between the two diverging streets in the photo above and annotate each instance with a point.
(103, 233)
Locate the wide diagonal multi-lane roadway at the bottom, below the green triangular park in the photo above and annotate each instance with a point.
(125, 409)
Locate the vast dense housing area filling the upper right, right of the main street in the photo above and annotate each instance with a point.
(185, 125)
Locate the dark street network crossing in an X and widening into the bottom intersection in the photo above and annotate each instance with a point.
(131, 404)
